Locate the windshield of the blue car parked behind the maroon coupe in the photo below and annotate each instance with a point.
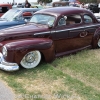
(11, 14)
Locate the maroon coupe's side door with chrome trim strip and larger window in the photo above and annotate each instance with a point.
(71, 36)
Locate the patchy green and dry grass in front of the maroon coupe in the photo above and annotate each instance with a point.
(74, 77)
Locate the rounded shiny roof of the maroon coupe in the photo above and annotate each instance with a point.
(63, 10)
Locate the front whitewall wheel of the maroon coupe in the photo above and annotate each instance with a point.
(31, 59)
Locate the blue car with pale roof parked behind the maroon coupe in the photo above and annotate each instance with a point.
(16, 16)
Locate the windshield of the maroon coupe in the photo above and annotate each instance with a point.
(43, 19)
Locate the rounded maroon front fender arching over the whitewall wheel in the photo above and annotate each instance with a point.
(18, 48)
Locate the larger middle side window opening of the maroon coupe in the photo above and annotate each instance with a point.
(73, 19)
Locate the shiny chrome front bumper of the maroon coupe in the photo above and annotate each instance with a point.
(6, 65)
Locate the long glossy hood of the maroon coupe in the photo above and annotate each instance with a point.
(23, 29)
